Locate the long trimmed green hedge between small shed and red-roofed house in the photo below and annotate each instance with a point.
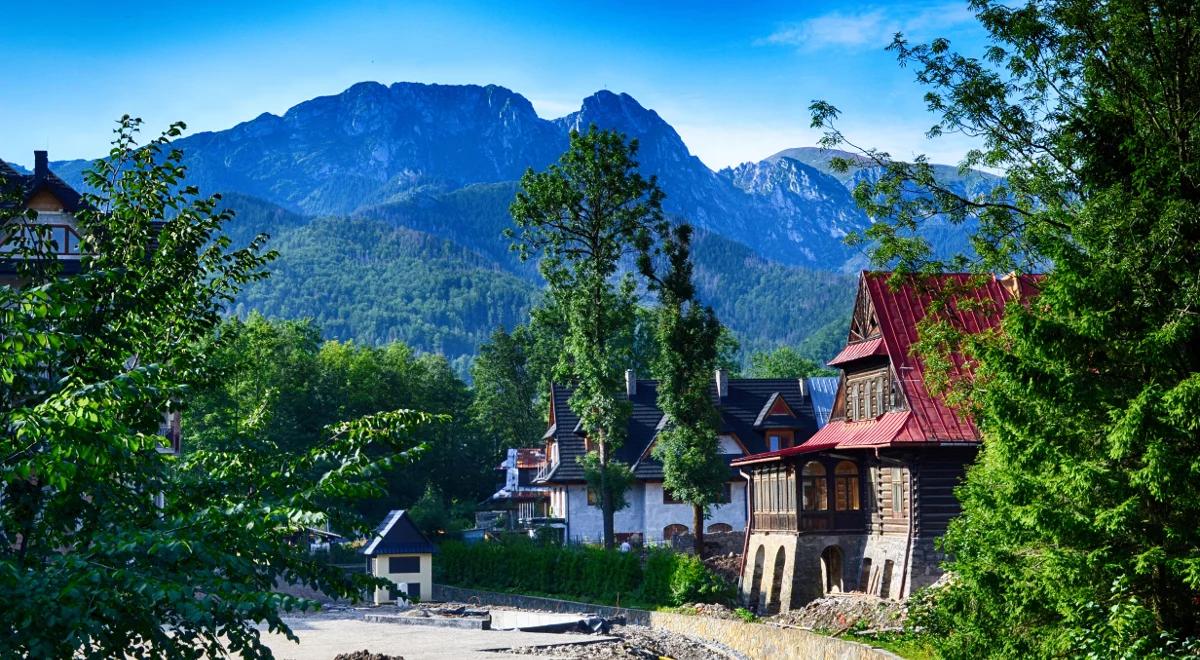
(587, 573)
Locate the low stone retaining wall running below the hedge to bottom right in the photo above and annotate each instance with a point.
(754, 640)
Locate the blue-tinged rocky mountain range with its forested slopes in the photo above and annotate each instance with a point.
(387, 205)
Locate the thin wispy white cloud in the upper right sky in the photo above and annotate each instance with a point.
(871, 27)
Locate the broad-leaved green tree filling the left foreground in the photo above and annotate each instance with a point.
(89, 565)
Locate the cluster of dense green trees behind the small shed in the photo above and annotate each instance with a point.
(283, 382)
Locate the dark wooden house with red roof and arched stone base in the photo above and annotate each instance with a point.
(860, 505)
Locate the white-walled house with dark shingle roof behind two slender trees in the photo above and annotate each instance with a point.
(757, 416)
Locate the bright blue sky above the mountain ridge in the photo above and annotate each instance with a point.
(734, 79)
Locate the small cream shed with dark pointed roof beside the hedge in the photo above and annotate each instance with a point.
(401, 554)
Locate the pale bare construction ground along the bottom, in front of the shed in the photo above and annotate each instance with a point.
(345, 632)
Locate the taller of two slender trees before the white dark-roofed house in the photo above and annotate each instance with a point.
(584, 217)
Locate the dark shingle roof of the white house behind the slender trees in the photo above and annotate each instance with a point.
(740, 413)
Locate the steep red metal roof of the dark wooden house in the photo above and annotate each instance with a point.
(928, 421)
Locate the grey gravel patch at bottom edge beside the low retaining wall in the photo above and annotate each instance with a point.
(634, 644)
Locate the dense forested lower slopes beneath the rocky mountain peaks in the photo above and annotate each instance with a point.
(382, 277)
